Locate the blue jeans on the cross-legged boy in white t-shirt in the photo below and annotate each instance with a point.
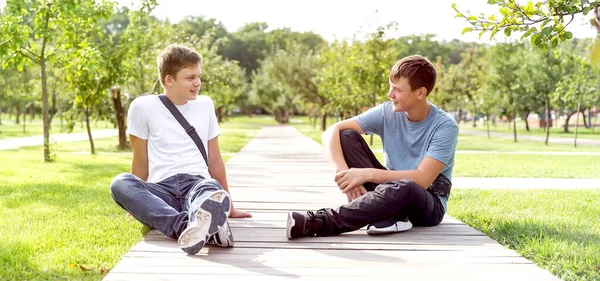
(164, 205)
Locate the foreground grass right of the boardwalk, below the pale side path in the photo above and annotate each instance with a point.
(556, 229)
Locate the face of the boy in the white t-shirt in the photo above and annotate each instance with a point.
(186, 83)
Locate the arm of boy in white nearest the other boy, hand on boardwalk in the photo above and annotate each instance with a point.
(216, 169)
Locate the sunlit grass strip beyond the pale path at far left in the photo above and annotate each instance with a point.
(9, 129)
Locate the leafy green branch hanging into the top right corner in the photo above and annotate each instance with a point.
(544, 22)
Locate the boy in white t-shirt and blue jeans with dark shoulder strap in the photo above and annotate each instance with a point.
(171, 188)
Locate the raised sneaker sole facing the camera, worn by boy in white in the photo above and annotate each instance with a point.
(211, 215)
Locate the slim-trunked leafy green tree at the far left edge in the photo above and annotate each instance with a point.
(29, 28)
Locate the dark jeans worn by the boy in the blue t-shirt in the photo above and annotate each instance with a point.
(399, 198)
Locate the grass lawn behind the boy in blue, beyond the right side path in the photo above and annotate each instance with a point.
(498, 164)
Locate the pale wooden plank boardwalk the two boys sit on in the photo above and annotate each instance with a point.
(281, 170)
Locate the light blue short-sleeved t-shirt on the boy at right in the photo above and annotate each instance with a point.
(405, 143)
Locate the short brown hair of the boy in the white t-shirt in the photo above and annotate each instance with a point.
(174, 58)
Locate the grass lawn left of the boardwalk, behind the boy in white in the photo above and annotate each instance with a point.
(59, 221)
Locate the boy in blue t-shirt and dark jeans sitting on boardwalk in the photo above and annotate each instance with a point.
(419, 141)
